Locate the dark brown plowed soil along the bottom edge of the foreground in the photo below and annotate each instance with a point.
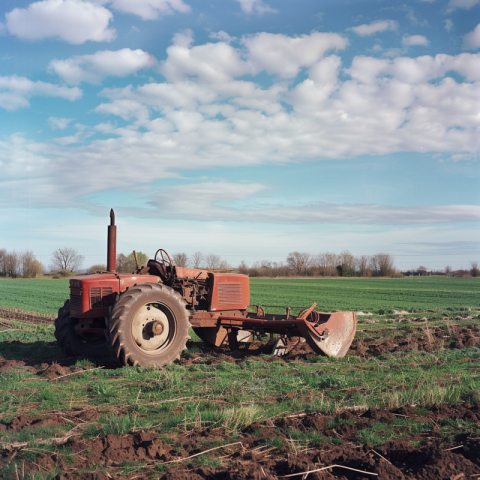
(252, 455)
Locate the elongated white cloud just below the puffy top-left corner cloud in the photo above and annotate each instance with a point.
(94, 68)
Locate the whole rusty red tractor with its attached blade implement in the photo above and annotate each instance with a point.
(144, 318)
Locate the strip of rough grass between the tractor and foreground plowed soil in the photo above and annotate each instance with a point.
(233, 396)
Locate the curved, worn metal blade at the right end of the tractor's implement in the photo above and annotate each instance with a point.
(332, 335)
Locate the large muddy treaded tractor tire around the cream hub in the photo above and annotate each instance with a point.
(123, 326)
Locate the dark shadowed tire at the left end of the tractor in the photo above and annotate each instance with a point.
(71, 343)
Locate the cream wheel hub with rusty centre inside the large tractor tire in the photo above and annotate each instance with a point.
(150, 328)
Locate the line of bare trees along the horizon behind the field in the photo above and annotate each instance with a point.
(67, 260)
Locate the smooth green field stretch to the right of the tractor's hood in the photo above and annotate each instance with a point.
(377, 295)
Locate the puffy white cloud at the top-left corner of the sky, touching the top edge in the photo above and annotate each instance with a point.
(72, 20)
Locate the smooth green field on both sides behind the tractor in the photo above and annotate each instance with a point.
(375, 295)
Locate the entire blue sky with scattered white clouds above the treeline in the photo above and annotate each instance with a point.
(245, 128)
